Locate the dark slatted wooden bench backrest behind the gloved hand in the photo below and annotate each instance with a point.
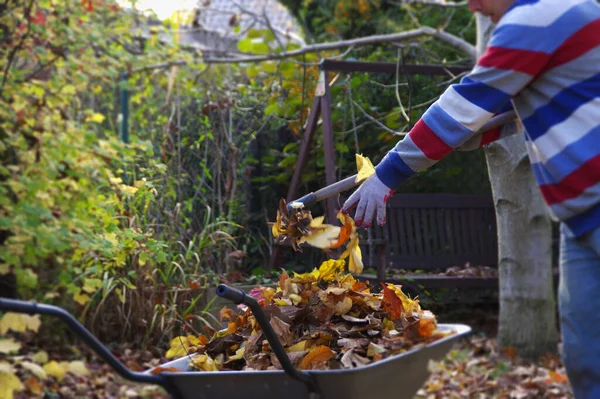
(435, 231)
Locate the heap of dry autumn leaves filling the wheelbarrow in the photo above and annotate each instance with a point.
(325, 319)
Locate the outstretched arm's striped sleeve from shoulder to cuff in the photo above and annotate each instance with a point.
(511, 62)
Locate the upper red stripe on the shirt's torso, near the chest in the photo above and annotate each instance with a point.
(582, 41)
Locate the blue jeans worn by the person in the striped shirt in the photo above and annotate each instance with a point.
(579, 305)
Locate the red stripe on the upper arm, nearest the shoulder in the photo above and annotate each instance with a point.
(529, 62)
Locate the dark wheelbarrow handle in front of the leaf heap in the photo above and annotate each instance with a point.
(238, 296)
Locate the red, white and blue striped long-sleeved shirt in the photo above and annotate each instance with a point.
(543, 59)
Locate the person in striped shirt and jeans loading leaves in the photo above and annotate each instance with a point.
(543, 59)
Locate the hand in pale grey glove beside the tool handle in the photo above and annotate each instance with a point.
(371, 197)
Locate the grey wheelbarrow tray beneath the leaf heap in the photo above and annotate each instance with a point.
(397, 377)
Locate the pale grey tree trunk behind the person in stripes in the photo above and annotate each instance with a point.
(527, 308)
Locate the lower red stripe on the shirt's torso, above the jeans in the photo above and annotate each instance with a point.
(574, 184)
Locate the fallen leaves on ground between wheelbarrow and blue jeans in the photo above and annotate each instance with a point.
(478, 369)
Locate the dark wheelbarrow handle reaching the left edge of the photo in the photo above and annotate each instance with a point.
(18, 306)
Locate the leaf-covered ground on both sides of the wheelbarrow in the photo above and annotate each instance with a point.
(475, 368)
